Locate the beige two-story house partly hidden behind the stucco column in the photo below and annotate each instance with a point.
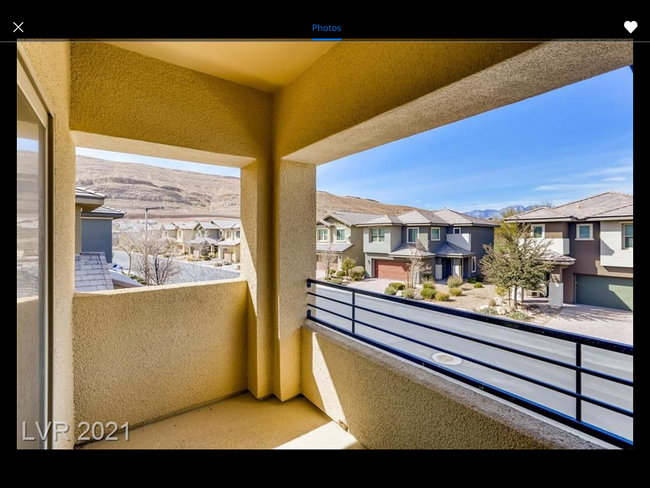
(338, 236)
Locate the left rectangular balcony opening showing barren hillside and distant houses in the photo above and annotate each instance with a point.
(145, 221)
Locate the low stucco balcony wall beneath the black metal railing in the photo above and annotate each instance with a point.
(390, 404)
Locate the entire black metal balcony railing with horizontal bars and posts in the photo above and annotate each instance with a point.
(576, 421)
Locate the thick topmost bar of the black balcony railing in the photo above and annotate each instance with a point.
(500, 321)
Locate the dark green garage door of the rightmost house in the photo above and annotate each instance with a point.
(604, 291)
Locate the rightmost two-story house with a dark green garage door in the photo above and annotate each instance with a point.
(592, 246)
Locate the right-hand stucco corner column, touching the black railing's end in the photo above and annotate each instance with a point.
(295, 260)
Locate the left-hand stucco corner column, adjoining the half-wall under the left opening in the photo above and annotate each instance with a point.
(256, 267)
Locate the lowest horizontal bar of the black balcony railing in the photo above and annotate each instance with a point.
(485, 387)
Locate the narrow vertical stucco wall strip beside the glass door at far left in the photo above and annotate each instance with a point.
(49, 63)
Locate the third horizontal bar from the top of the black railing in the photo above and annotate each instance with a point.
(499, 369)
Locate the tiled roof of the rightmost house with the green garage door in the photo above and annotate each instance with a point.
(604, 205)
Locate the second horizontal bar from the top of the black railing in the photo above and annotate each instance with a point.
(556, 362)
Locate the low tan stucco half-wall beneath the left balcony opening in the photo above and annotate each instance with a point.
(148, 352)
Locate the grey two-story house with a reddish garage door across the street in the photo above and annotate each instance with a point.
(451, 243)
